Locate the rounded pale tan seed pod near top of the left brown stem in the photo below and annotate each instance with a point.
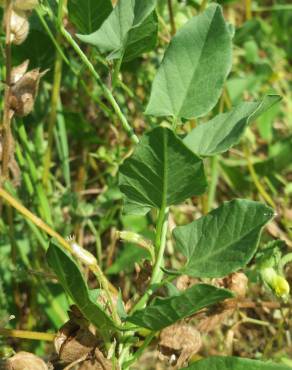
(19, 27)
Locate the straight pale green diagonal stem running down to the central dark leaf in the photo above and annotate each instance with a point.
(107, 93)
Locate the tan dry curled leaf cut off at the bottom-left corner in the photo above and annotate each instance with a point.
(25, 361)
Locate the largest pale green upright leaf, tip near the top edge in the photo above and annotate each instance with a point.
(190, 78)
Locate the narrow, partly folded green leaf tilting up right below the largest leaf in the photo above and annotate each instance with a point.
(223, 131)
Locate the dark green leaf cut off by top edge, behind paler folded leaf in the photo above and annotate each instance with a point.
(88, 15)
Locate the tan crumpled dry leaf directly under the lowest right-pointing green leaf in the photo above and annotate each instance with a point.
(179, 342)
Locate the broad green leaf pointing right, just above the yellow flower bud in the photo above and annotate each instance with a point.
(224, 240)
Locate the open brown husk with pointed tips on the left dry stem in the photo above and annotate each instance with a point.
(24, 89)
